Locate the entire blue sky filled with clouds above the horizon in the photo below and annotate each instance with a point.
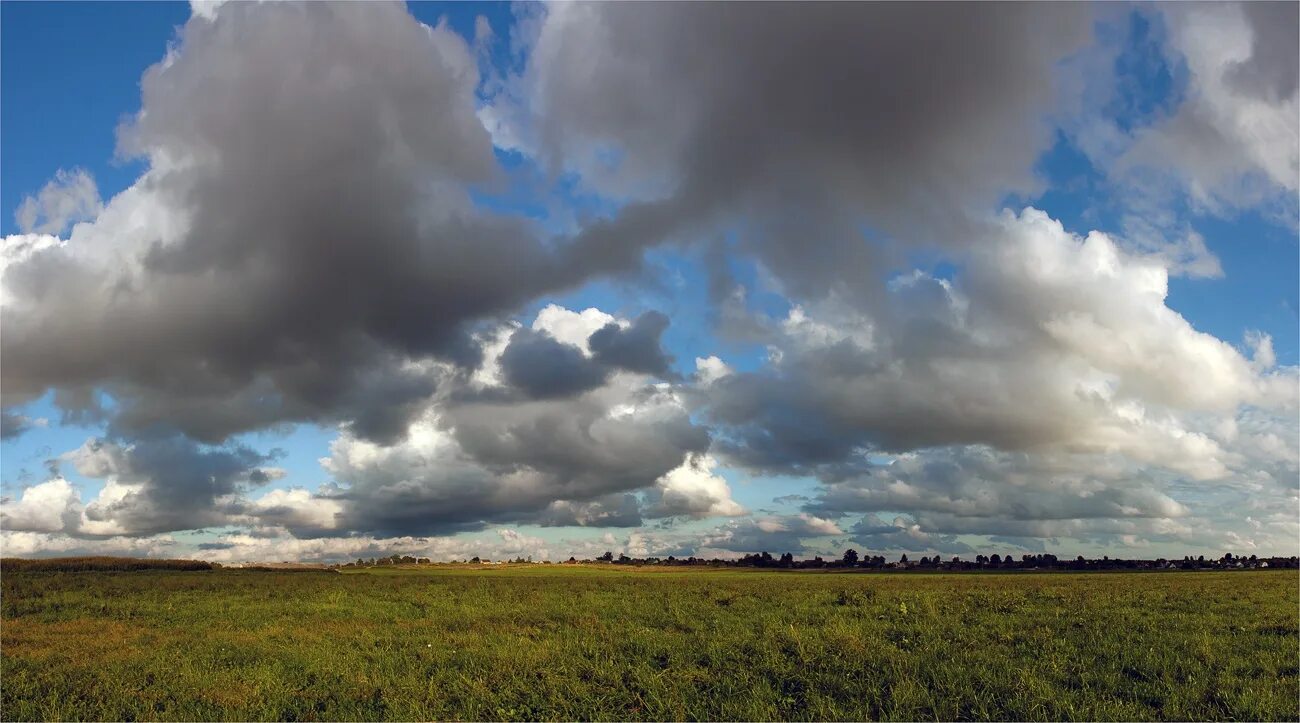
(333, 282)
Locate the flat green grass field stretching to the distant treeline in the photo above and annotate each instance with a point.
(604, 643)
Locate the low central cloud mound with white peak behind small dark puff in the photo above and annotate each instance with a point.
(562, 454)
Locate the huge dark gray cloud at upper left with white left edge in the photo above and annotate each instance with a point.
(302, 245)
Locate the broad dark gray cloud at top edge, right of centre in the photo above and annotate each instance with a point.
(803, 124)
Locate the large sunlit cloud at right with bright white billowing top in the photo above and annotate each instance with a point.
(1042, 341)
